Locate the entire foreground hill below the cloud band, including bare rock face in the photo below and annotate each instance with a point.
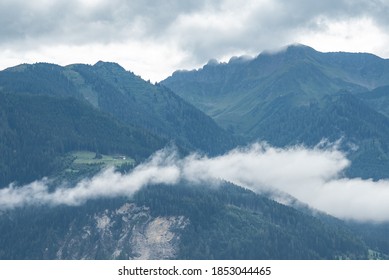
(176, 222)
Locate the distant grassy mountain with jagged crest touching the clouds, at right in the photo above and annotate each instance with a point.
(241, 89)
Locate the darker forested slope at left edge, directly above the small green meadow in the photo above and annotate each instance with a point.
(37, 131)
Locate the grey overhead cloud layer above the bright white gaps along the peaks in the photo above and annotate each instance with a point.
(201, 29)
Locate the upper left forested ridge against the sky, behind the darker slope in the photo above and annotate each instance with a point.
(126, 97)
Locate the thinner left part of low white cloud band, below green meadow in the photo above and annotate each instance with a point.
(107, 184)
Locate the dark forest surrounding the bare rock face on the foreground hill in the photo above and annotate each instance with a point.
(226, 222)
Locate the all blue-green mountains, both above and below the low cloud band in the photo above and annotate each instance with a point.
(70, 123)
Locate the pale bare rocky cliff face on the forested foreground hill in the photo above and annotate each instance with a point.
(128, 232)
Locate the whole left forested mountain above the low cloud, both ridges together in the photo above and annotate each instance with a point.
(49, 110)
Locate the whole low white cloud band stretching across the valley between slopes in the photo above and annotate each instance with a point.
(314, 176)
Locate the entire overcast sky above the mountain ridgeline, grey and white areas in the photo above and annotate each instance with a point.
(154, 38)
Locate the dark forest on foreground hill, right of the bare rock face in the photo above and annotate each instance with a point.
(228, 222)
